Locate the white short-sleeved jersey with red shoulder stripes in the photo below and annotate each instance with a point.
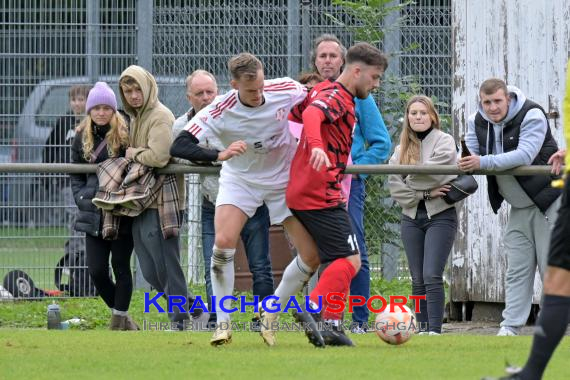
(264, 129)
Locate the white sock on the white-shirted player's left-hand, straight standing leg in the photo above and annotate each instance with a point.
(222, 275)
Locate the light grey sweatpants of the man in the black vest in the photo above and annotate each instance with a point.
(527, 240)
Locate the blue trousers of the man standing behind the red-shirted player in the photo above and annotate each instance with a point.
(360, 285)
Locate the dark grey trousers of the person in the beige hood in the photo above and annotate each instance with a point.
(160, 259)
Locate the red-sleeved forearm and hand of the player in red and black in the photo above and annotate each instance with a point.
(313, 117)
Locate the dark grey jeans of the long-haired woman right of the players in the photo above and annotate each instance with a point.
(428, 242)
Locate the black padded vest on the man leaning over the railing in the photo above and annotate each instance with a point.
(537, 187)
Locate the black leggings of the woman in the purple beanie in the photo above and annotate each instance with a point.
(116, 295)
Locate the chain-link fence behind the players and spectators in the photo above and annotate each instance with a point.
(47, 48)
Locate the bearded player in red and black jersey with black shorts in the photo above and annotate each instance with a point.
(314, 194)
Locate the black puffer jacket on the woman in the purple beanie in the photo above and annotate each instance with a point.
(85, 185)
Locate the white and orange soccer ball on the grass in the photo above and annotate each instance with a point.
(395, 327)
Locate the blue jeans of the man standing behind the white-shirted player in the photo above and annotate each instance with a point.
(255, 237)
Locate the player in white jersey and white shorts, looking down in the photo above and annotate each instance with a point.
(251, 123)
